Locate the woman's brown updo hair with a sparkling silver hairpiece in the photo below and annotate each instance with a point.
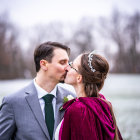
(94, 72)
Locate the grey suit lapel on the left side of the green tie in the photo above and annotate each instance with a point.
(32, 100)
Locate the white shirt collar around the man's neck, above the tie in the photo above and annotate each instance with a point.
(41, 92)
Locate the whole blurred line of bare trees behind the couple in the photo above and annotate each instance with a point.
(118, 36)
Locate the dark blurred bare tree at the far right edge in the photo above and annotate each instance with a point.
(133, 31)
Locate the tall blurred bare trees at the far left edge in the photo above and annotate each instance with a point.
(10, 52)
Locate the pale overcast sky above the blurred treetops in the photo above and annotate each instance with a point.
(27, 13)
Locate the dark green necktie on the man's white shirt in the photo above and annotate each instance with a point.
(49, 114)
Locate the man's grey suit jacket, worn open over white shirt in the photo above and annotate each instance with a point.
(21, 117)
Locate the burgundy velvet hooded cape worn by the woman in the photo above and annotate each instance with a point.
(87, 118)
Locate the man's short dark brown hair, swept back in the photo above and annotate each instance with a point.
(45, 51)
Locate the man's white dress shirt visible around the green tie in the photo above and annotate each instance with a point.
(41, 92)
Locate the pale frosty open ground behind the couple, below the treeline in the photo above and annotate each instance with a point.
(122, 90)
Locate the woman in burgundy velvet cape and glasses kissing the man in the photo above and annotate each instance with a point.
(90, 115)
